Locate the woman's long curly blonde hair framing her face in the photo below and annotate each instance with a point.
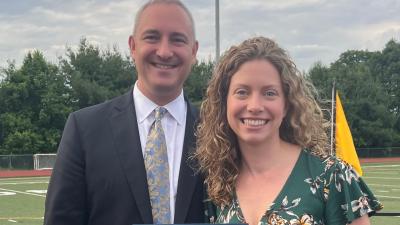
(218, 151)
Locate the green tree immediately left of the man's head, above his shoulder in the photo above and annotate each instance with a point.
(94, 75)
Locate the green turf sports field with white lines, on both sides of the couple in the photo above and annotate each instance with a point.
(22, 199)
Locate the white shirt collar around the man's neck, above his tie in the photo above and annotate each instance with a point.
(144, 106)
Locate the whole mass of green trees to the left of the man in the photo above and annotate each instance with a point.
(36, 99)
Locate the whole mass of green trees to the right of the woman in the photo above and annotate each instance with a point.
(370, 97)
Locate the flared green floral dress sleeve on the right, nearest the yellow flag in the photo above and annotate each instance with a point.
(347, 195)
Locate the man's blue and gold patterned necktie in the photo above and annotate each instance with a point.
(156, 162)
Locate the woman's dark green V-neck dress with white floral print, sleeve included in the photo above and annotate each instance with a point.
(319, 190)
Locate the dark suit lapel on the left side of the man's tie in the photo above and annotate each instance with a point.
(126, 135)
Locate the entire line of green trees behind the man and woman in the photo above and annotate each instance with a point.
(36, 98)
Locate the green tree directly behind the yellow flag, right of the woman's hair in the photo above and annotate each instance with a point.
(365, 99)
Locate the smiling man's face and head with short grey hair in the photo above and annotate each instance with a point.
(164, 50)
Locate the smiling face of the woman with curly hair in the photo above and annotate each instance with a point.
(256, 102)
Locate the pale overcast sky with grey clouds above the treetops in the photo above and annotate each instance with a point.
(311, 30)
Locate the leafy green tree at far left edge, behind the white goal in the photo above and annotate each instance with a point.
(34, 105)
